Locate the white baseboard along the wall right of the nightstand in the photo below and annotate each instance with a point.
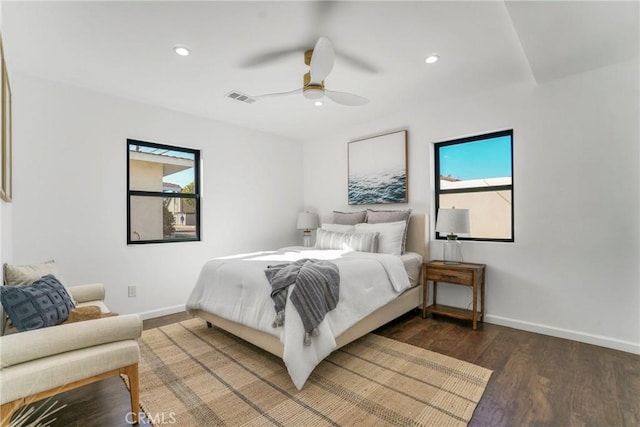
(599, 340)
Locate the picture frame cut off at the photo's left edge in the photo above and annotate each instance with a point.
(6, 172)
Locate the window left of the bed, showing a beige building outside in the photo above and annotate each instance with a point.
(163, 193)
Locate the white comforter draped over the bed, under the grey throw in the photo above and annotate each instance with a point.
(237, 289)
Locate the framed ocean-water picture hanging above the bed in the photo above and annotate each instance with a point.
(377, 169)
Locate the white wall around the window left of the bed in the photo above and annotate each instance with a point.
(70, 192)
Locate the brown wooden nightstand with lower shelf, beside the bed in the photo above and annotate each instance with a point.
(466, 274)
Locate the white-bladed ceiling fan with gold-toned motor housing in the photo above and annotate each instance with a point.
(320, 60)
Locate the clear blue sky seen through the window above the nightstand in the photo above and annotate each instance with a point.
(489, 158)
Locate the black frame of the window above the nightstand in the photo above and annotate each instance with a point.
(439, 191)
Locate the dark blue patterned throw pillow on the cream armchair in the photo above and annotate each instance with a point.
(43, 303)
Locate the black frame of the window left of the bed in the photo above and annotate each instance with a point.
(196, 196)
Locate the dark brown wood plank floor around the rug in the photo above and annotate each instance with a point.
(537, 380)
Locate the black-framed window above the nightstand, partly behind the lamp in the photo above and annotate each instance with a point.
(476, 173)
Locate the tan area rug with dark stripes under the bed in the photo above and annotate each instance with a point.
(191, 375)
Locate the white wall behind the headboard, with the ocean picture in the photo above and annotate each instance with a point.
(573, 270)
